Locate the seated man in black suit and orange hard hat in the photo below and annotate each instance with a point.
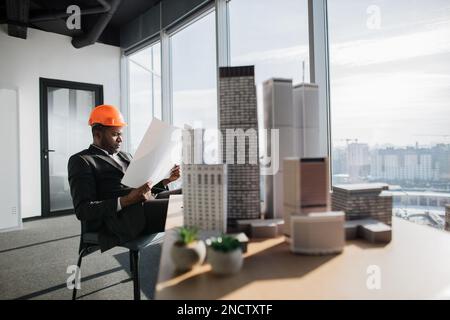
(102, 203)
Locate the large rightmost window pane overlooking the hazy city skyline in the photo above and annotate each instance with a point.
(390, 101)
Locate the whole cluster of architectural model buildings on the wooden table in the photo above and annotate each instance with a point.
(299, 203)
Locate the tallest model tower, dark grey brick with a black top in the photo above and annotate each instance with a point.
(238, 123)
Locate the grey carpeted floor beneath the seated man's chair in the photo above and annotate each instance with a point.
(34, 263)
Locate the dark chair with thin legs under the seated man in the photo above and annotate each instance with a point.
(89, 243)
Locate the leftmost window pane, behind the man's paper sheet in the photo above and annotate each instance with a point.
(144, 91)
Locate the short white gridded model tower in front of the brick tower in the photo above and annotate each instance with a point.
(205, 196)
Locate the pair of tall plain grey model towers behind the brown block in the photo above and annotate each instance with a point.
(301, 122)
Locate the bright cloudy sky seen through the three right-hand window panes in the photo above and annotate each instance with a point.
(390, 64)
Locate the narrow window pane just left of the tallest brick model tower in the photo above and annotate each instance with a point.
(194, 82)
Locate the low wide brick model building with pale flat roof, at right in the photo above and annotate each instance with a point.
(363, 201)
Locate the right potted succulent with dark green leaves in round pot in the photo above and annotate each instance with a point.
(225, 255)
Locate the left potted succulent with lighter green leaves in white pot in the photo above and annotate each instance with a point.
(188, 251)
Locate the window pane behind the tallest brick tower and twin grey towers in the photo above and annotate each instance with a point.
(272, 35)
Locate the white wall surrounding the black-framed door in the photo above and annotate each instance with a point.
(49, 55)
